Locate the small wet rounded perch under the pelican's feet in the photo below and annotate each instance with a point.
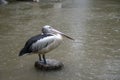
(52, 64)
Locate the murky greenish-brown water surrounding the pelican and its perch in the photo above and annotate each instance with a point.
(94, 55)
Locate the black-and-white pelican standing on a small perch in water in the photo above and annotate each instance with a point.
(43, 43)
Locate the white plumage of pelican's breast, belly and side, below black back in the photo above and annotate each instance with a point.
(51, 42)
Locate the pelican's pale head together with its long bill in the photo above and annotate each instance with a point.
(49, 30)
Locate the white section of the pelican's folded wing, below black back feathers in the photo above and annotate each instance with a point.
(42, 43)
